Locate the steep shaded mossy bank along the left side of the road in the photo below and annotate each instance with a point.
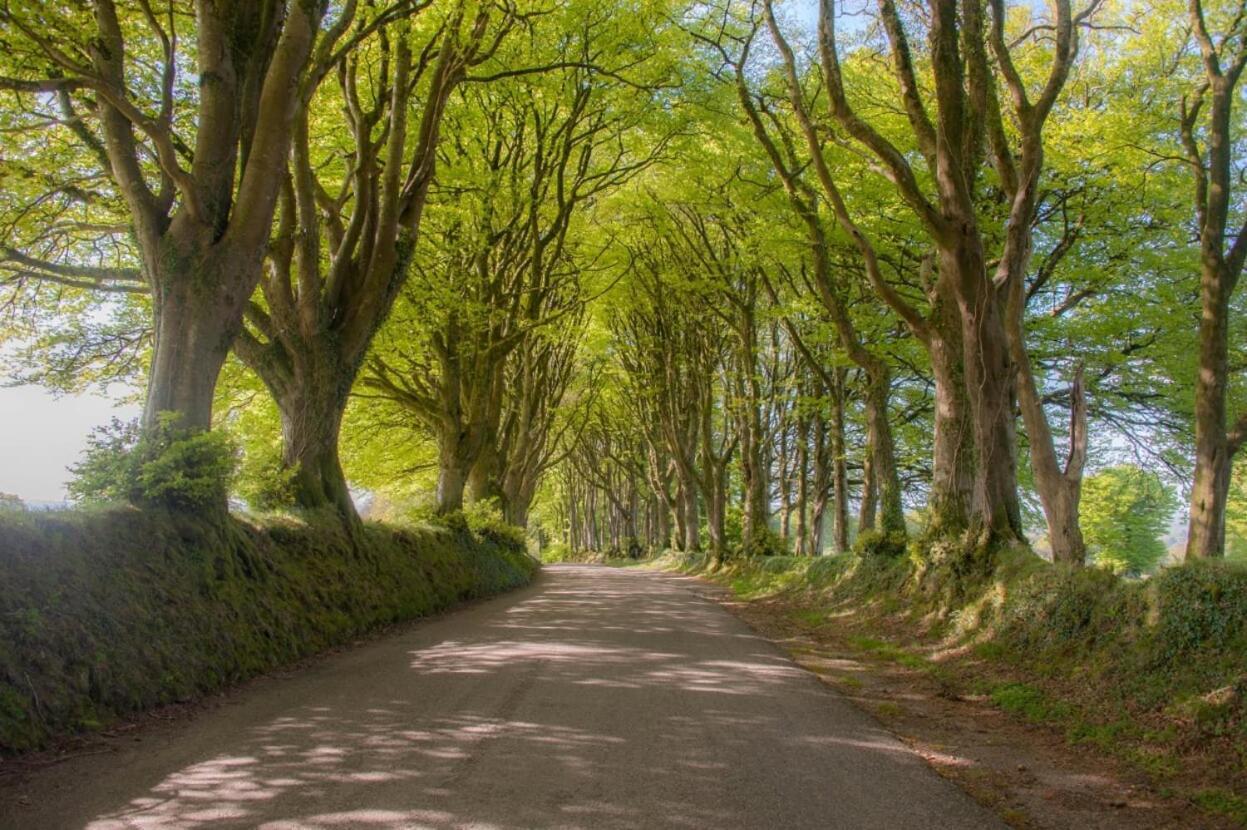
(105, 614)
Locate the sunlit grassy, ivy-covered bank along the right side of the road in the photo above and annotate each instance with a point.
(1152, 672)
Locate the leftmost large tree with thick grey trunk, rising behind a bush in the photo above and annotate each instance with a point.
(188, 161)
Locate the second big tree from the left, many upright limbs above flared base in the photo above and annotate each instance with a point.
(342, 252)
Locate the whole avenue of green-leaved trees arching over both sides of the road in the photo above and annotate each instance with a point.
(741, 276)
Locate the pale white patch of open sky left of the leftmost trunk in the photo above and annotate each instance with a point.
(42, 436)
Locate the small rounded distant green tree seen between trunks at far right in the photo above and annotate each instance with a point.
(1125, 512)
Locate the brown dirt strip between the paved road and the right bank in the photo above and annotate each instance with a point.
(1029, 775)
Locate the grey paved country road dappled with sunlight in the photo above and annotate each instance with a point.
(594, 699)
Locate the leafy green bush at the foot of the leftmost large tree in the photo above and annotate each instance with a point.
(165, 467)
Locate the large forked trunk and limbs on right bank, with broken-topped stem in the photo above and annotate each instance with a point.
(968, 122)
